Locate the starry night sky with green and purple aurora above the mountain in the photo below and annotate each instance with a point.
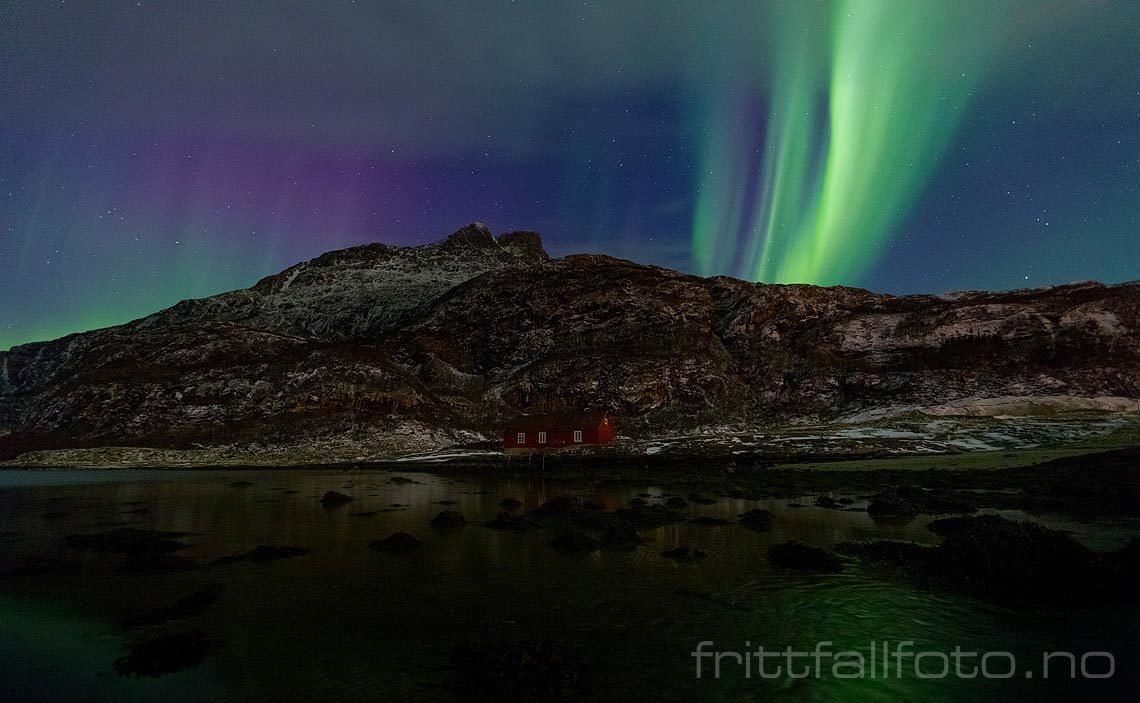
(152, 152)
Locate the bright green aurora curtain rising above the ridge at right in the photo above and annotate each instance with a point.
(865, 100)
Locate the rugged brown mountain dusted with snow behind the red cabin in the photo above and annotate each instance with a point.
(459, 336)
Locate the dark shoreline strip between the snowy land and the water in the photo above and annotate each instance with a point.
(1086, 484)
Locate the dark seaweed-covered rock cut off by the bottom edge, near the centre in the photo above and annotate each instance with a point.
(536, 672)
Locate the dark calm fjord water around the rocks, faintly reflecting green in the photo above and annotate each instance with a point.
(344, 623)
